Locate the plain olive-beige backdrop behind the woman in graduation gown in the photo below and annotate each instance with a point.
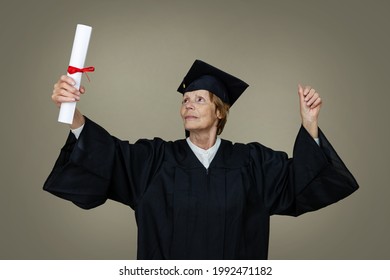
(141, 51)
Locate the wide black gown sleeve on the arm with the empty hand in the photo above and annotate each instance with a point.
(313, 178)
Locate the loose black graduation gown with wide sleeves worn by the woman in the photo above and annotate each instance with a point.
(184, 211)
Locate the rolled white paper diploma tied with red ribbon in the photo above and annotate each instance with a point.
(77, 59)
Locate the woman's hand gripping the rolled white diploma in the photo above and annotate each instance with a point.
(64, 91)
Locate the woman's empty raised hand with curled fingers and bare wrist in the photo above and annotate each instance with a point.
(310, 105)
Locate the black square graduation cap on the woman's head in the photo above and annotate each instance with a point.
(205, 76)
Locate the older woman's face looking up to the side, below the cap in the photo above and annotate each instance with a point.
(198, 112)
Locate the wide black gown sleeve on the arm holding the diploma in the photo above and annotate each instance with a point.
(97, 166)
